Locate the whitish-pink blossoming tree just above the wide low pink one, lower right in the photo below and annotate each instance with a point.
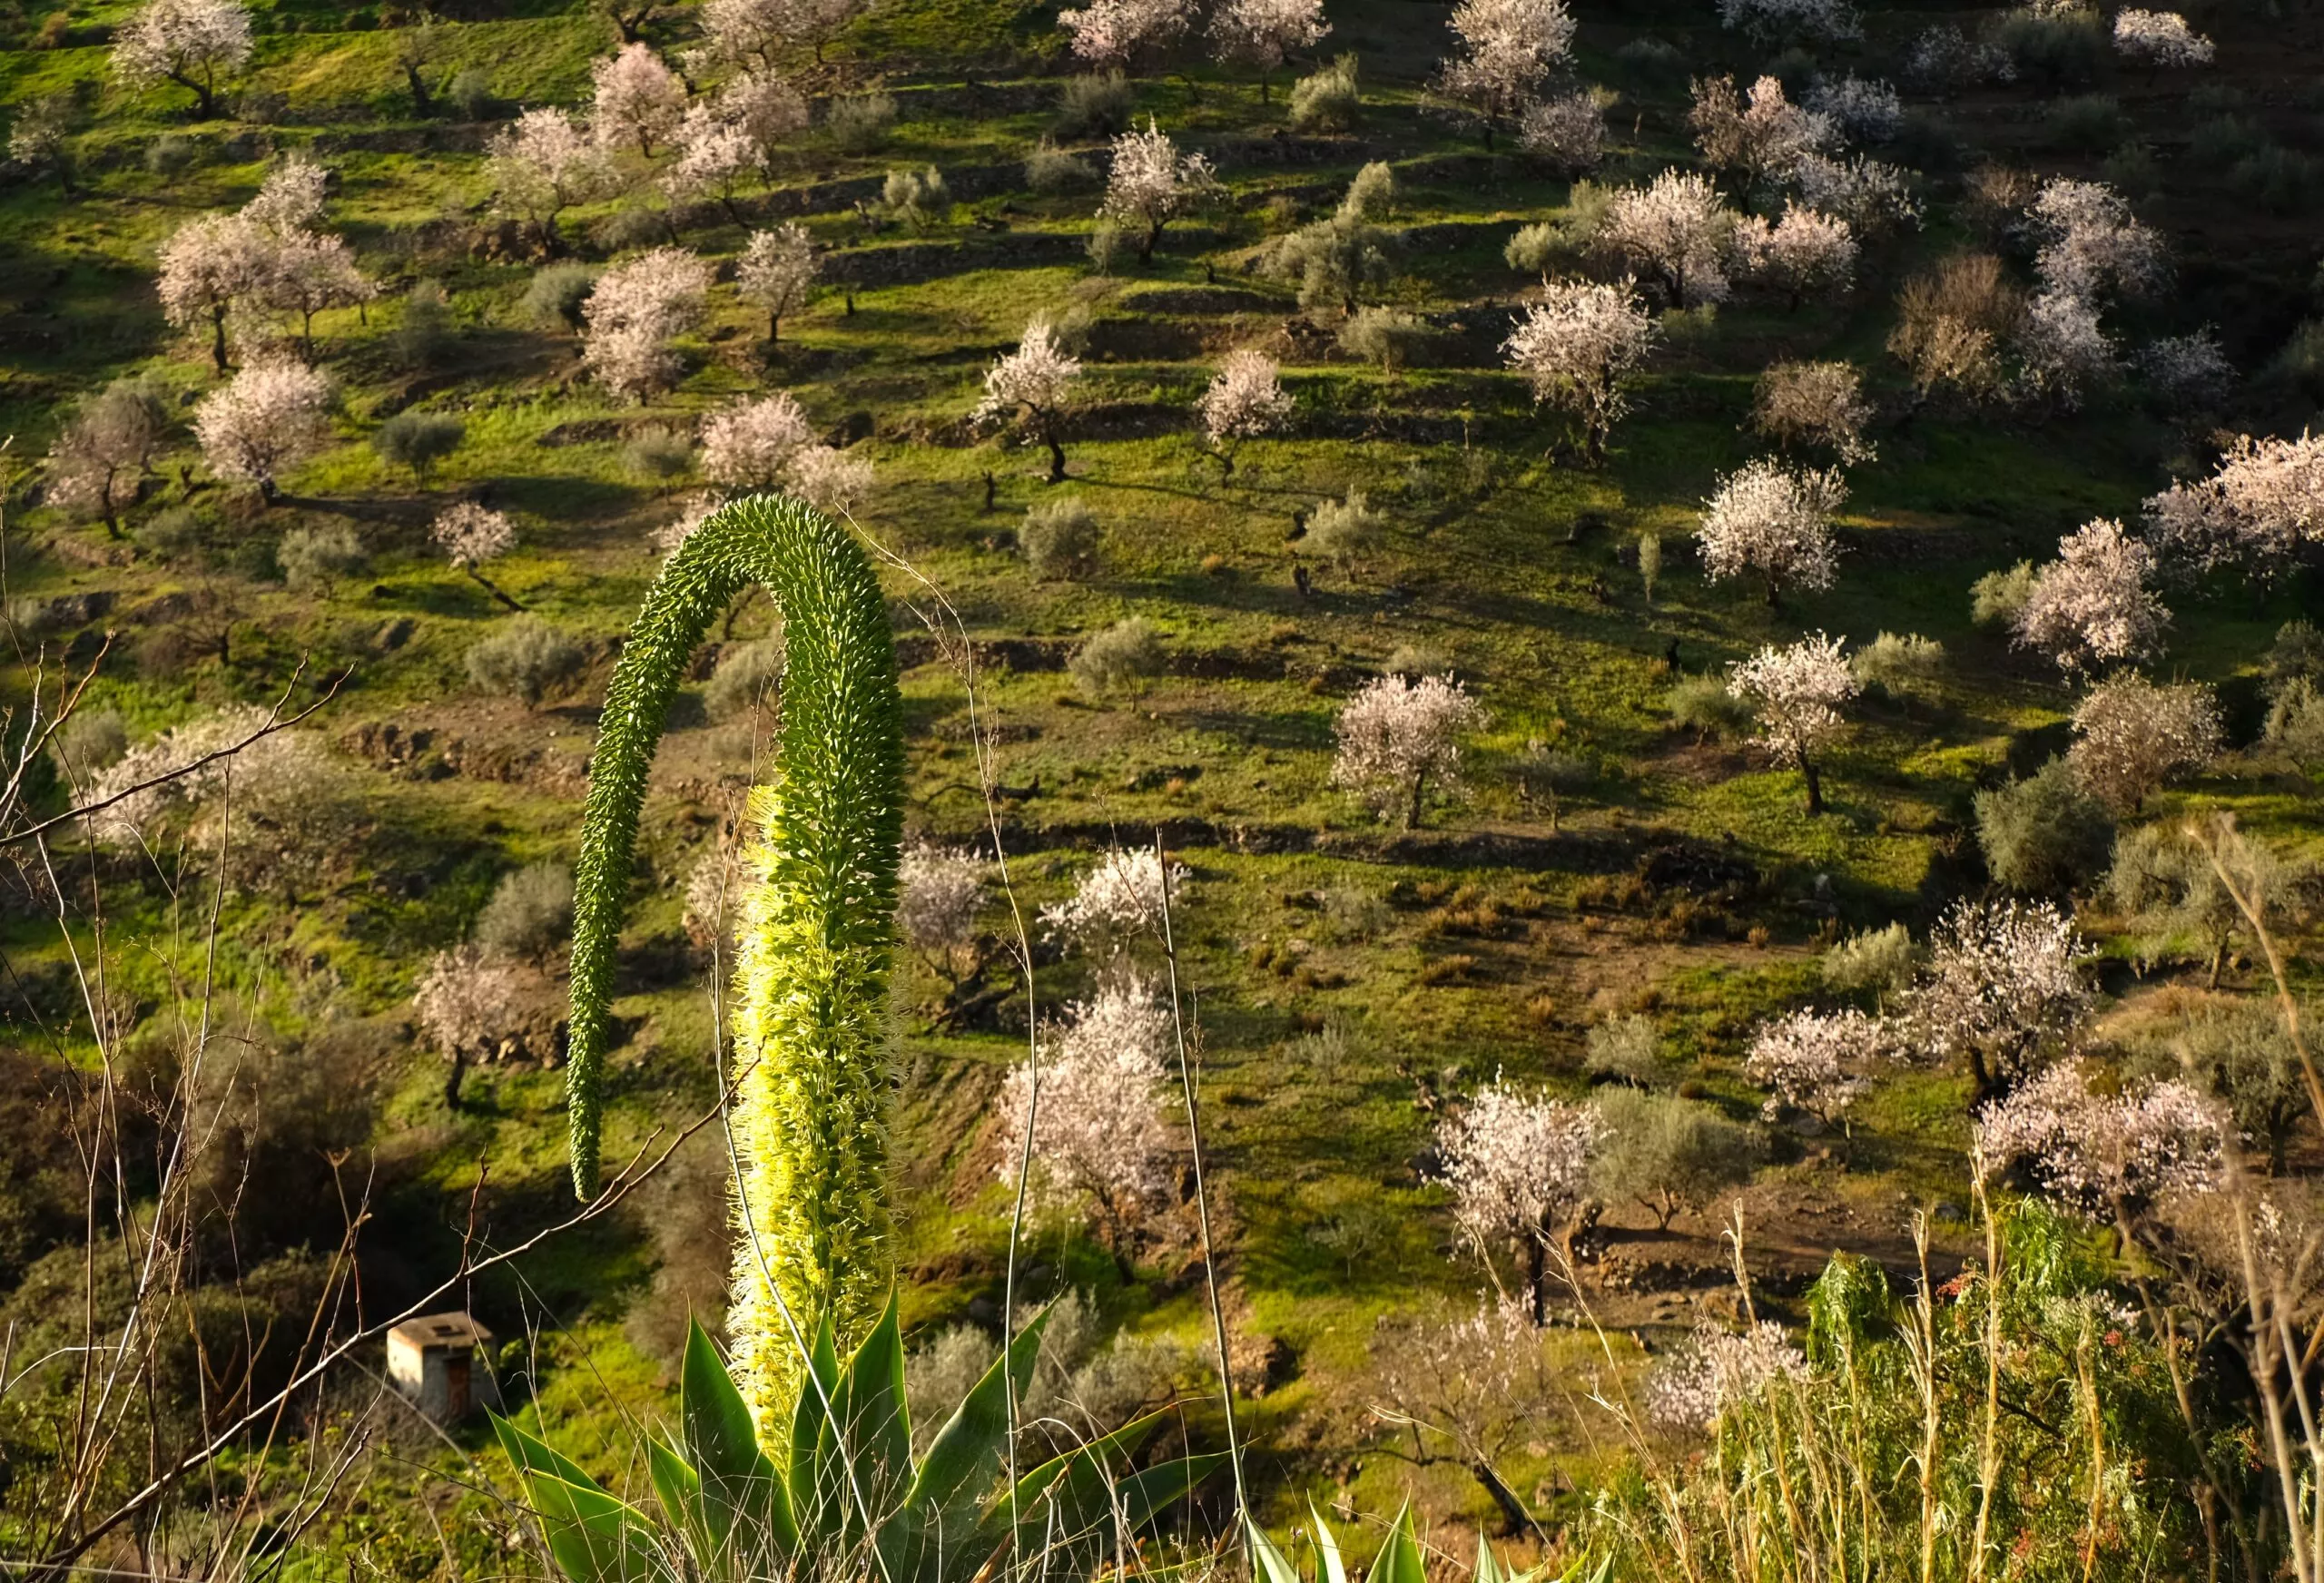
(2000, 989)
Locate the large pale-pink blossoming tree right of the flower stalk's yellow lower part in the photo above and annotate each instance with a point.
(1093, 1101)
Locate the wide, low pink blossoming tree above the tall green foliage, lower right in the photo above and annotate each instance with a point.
(2104, 1152)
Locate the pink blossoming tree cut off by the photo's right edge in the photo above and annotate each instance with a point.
(2258, 510)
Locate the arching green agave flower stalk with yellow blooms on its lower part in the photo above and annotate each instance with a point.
(817, 922)
